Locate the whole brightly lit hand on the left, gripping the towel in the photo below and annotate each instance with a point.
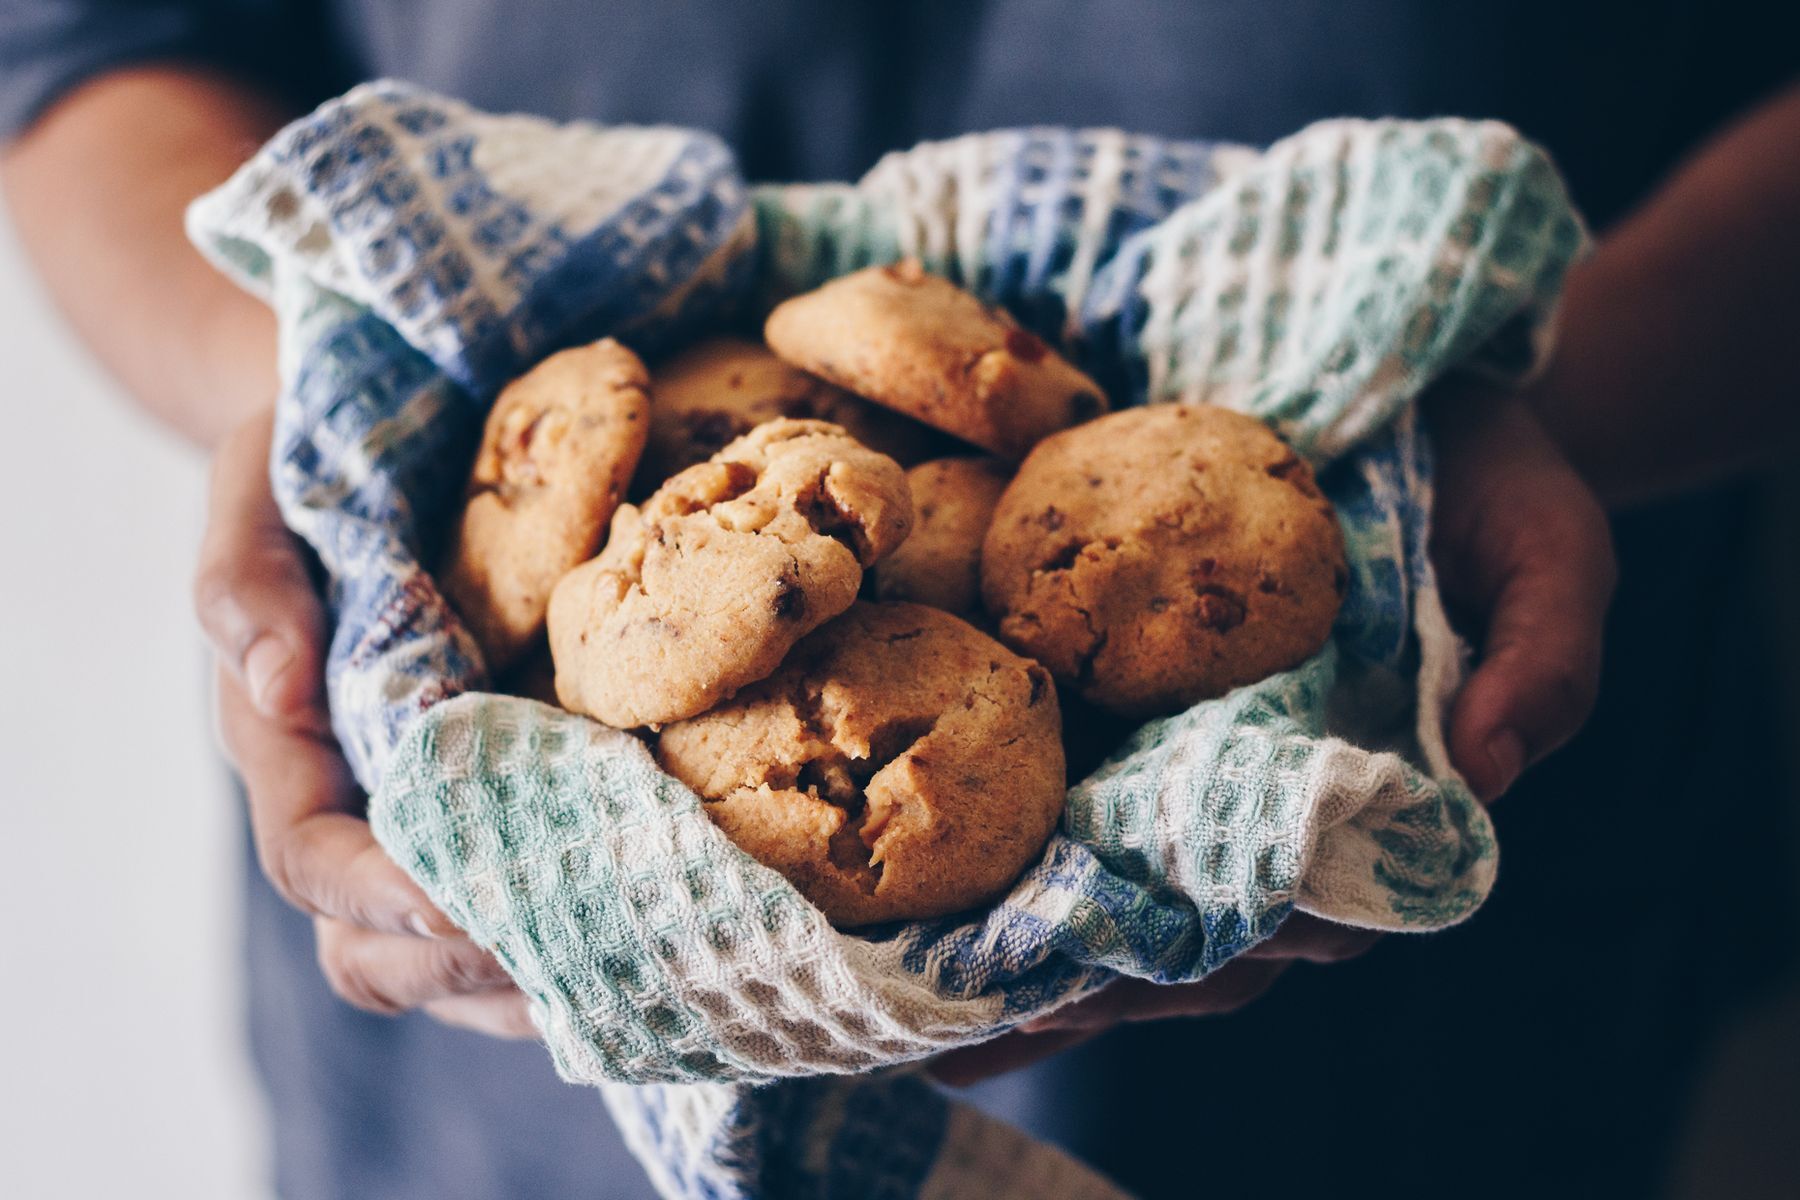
(382, 945)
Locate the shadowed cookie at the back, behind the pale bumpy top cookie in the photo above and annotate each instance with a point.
(723, 390)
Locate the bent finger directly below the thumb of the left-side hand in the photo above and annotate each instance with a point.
(316, 850)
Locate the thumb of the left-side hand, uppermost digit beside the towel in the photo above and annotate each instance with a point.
(253, 593)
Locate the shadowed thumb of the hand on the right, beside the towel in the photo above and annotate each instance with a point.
(1540, 668)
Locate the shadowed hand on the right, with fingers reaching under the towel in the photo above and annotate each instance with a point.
(1524, 548)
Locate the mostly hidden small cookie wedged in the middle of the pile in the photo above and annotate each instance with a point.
(940, 562)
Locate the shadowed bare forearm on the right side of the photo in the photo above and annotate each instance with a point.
(1677, 363)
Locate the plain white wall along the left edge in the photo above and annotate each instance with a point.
(121, 1066)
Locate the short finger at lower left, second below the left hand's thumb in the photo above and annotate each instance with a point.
(393, 974)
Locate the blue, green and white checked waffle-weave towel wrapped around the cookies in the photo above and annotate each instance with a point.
(420, 255)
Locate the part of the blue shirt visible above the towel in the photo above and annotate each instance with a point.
(820, 89)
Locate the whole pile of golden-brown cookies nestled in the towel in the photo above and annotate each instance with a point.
(852, 663)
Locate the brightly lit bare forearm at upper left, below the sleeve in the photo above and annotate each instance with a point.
(98, 190)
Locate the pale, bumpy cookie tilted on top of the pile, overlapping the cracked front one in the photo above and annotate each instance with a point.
(730, 564)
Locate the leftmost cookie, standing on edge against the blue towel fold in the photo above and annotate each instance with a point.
(555, 458)
